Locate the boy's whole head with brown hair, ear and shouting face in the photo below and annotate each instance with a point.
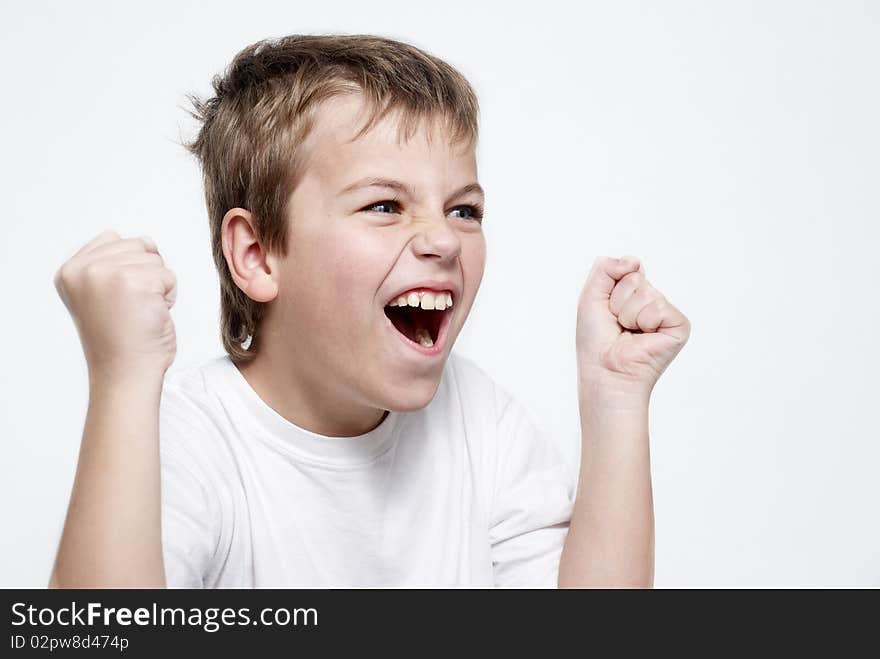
(309, 255)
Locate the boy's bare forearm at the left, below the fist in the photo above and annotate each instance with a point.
(112, 533)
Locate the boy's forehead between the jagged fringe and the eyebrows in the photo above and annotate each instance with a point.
(335, 158)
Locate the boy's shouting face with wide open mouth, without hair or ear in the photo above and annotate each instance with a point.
(353, 248)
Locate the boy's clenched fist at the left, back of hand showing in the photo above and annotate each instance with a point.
(119, 294)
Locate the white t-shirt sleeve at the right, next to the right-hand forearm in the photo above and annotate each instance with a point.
(533, 502)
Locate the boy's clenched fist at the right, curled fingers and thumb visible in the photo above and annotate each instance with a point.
(627, 331)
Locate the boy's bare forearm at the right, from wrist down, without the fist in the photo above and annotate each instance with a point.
(610, 540)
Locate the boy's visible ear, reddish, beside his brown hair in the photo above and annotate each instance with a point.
(253, 270)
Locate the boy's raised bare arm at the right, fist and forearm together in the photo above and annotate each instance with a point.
(627, 334)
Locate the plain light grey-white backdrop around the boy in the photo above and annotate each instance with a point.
(733, 146)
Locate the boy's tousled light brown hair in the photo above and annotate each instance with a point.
(263, 109)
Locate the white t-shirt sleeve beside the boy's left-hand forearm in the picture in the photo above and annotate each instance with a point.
(190, 507)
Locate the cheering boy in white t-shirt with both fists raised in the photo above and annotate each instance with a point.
(339, 442)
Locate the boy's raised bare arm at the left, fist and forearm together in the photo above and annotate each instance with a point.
(119, 294)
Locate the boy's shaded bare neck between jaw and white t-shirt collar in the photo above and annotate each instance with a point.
(309, 402)
